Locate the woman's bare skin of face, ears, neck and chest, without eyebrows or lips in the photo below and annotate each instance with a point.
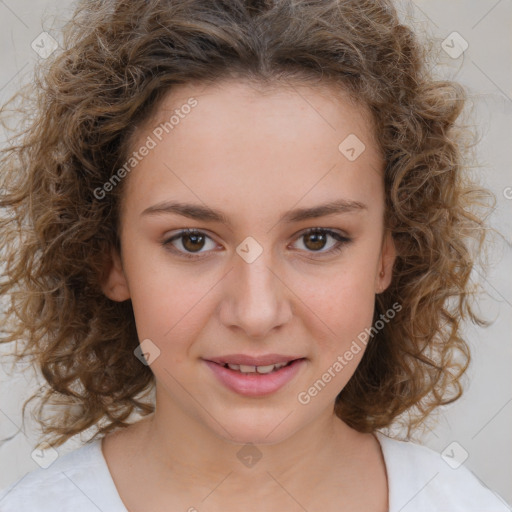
(254, 154)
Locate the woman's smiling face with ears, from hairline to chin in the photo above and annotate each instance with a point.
(266, 273)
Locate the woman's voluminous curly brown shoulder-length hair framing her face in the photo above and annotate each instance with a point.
(118, 59)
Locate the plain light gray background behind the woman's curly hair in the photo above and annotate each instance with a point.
(481, 421)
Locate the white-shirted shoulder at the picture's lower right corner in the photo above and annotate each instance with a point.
(419, 479)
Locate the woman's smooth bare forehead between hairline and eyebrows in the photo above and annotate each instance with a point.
(267, 145)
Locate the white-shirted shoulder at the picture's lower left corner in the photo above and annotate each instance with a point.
(78, 481)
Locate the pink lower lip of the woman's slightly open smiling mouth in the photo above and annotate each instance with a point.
(256, 384)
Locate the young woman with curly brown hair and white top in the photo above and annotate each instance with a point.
(257, 210)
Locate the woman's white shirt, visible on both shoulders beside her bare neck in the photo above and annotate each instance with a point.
(419, 480)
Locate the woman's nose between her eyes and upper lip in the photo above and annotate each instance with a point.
(255, 297)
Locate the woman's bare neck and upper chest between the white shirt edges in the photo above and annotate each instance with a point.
(178, 460)
